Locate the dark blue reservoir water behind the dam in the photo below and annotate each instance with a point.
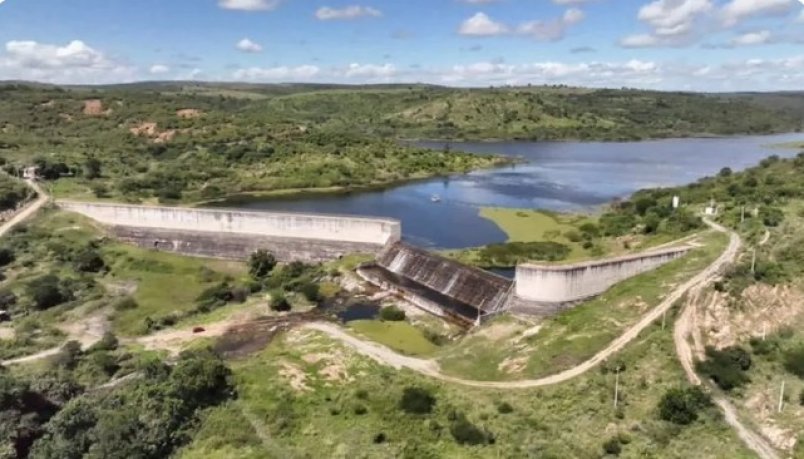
(561, 176)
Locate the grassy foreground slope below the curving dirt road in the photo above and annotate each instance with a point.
(341, 417)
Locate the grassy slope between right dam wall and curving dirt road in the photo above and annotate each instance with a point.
(577, 334)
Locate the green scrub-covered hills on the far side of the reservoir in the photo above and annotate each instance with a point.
(162, 142)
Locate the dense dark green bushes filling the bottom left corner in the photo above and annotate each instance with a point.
(55, 415)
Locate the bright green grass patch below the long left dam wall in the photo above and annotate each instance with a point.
(164, 282)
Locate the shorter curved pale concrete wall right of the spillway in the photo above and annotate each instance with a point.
(556, 285)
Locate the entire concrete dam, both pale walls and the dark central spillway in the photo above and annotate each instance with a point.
(437, 284)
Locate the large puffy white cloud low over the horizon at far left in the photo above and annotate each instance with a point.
(75, 62)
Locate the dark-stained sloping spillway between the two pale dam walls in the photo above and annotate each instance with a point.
(460, 291)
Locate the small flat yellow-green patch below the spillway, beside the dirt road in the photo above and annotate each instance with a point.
(400, 336)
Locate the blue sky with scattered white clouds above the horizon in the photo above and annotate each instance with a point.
(699, 45)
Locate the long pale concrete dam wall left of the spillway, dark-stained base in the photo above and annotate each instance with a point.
(235, 234)
